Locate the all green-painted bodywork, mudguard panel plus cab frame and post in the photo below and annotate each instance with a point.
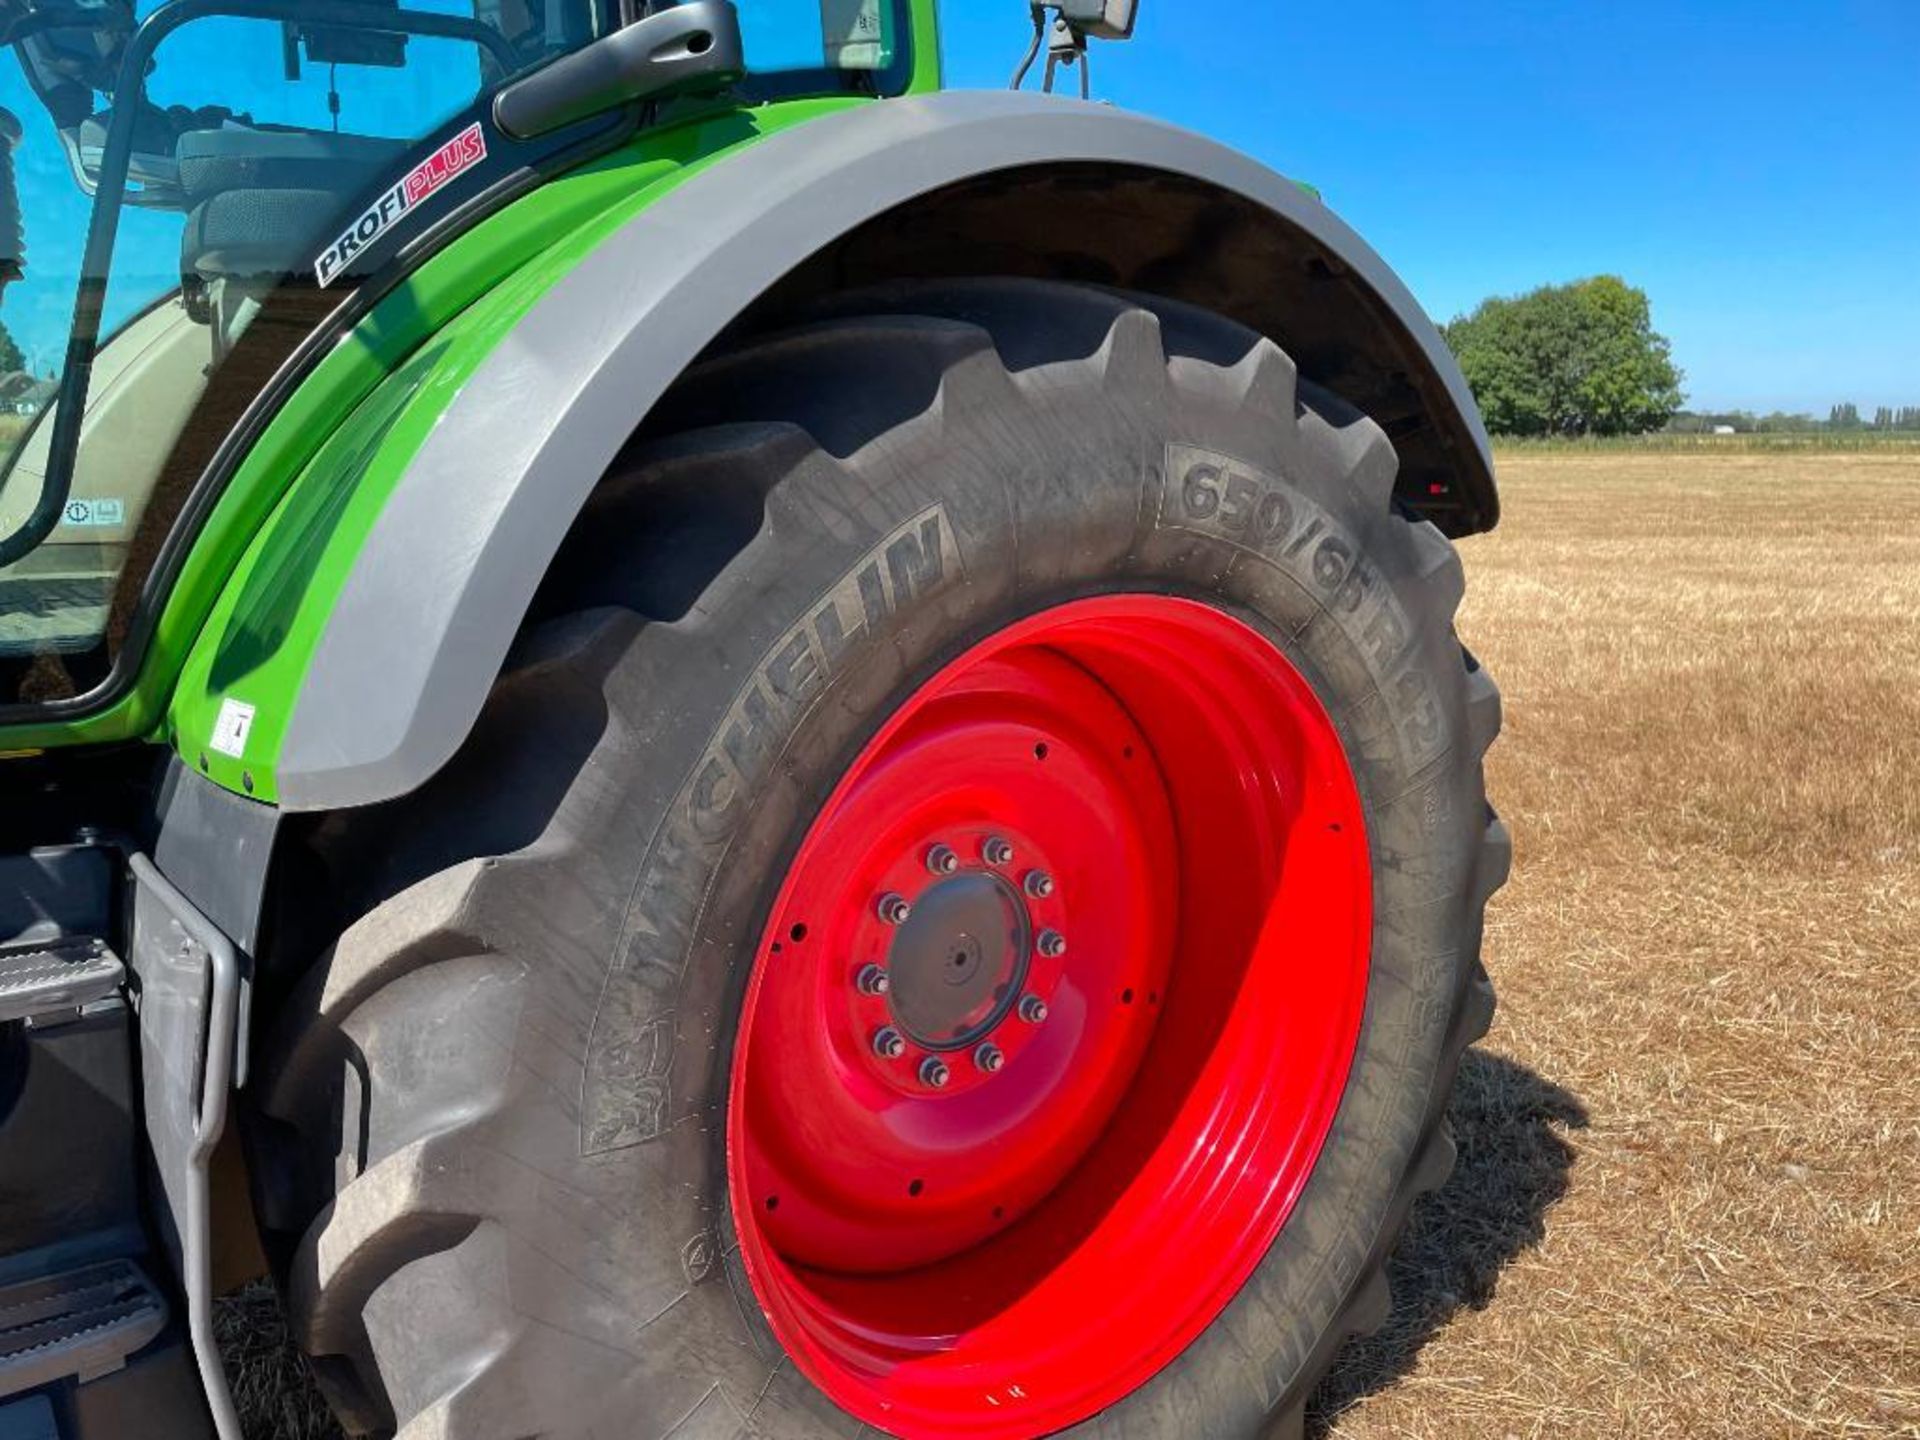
(270, 564)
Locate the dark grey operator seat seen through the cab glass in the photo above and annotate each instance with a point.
(266, 203)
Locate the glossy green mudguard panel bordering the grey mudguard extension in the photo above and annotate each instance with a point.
(444, 322)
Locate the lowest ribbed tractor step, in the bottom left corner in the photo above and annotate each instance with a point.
(78, 1326)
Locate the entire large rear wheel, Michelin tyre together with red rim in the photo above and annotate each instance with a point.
(961, 917)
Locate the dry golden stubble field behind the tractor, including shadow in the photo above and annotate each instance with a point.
(1689, 1199)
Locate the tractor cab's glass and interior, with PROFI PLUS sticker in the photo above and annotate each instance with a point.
(189, 191)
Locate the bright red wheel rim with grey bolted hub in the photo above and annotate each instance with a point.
(1136, 813)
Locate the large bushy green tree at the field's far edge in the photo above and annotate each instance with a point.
(1570, 360)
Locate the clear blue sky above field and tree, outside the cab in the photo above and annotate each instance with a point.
(1754, 166)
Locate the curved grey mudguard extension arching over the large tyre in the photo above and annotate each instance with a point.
(427, 617)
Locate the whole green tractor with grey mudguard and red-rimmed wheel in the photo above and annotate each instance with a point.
(704, 738)
